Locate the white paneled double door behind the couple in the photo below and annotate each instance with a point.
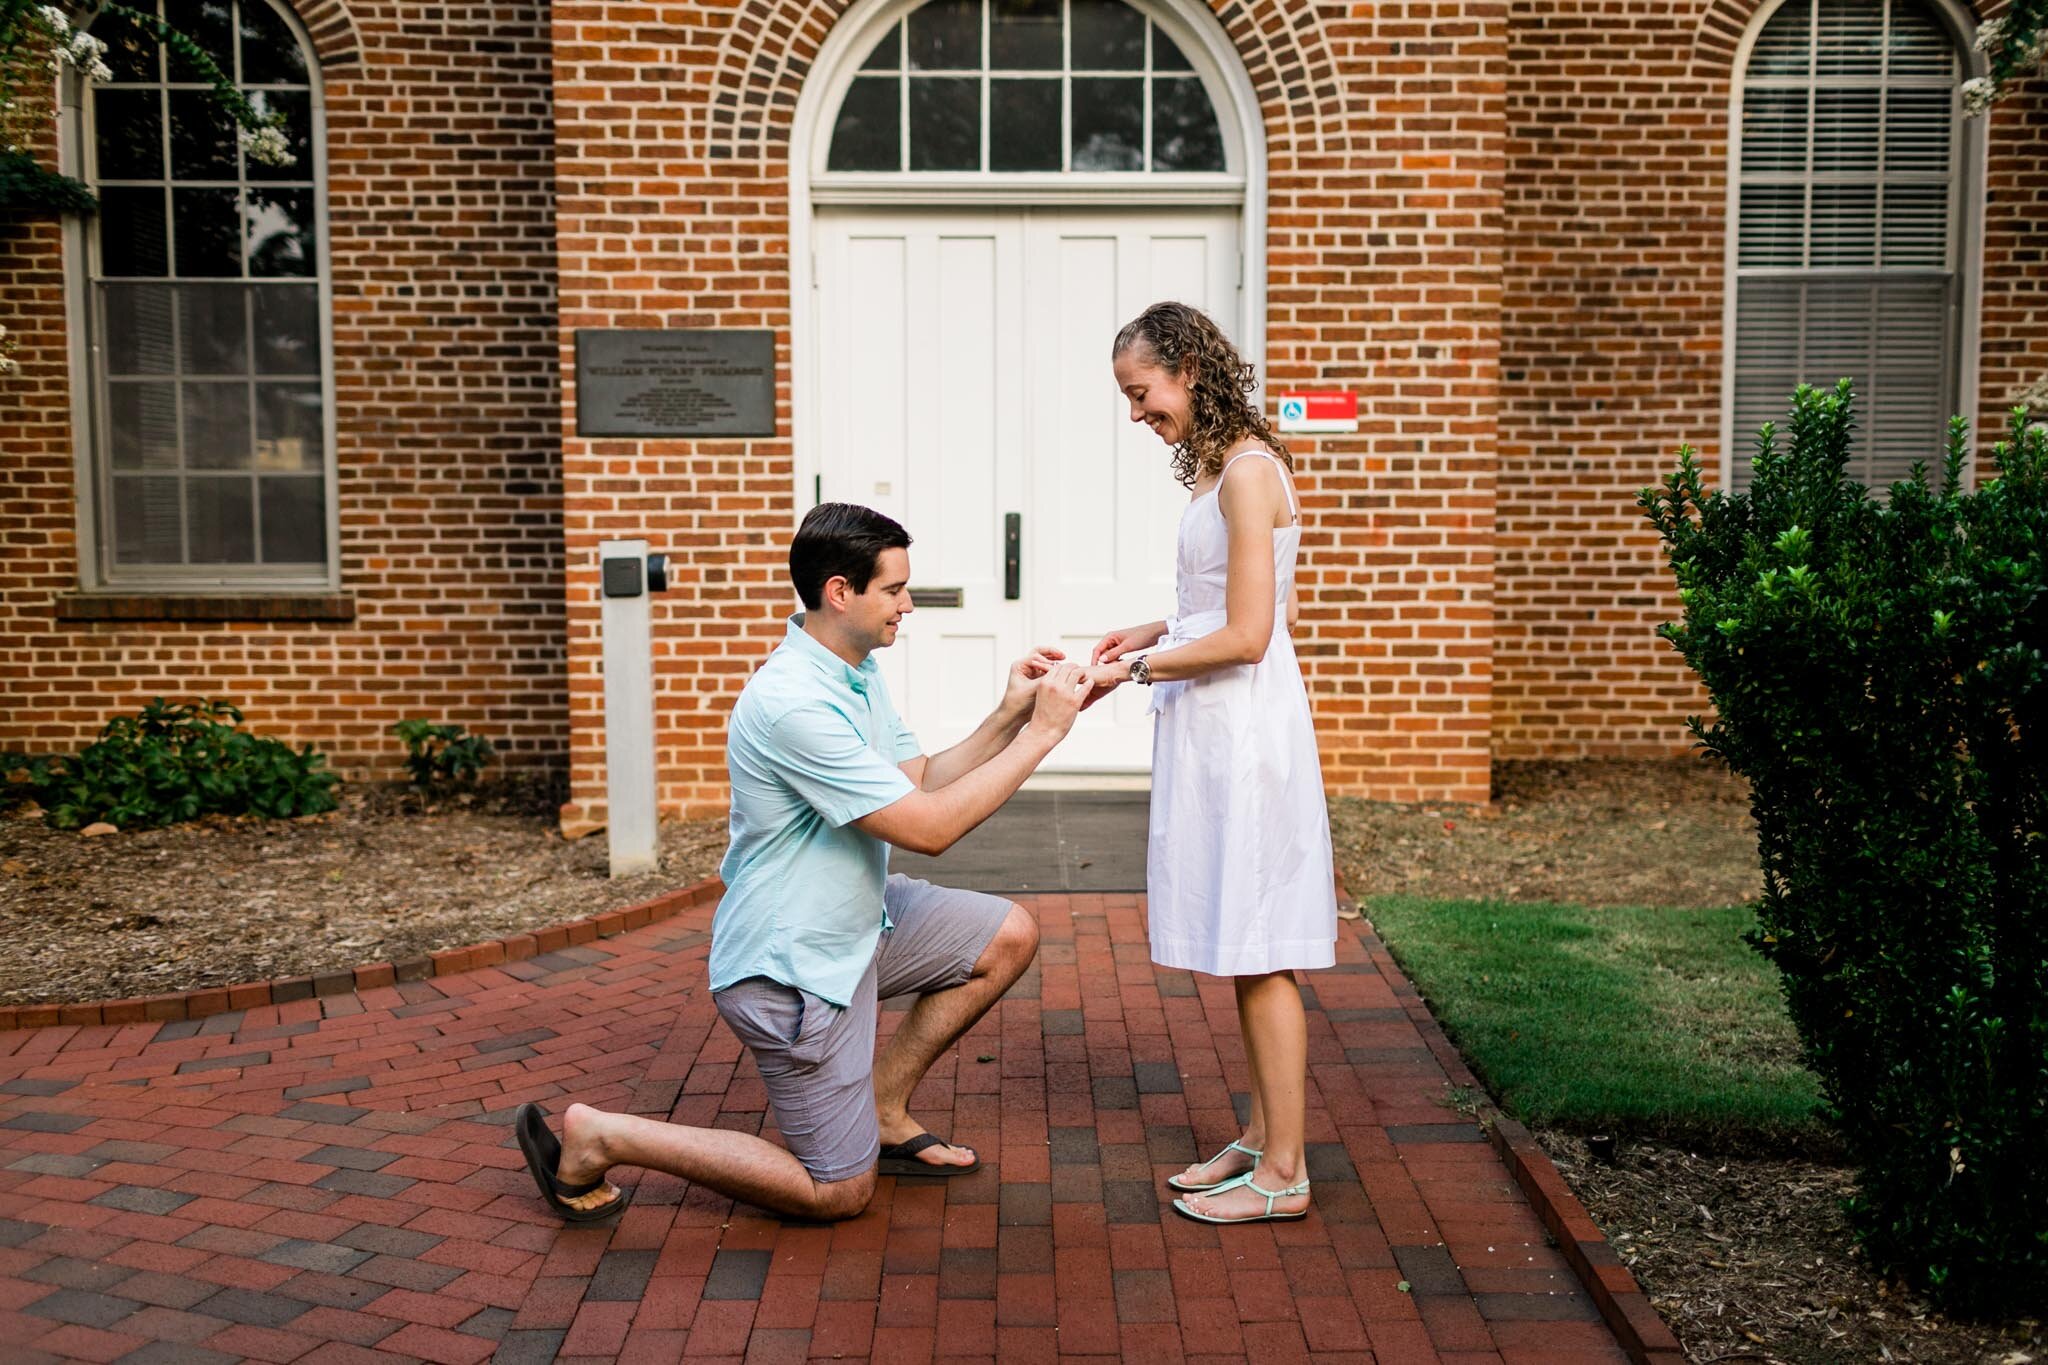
(966, 390)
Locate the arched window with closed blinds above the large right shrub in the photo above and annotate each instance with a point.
(1848, 226)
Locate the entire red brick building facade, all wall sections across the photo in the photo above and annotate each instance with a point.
(1500, 224)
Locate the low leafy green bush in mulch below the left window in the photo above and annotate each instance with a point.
(175, 762)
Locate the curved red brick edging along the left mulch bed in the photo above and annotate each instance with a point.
(445, 963)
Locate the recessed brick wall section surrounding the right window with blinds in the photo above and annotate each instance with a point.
(1613, 345)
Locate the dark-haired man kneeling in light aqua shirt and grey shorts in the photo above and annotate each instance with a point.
(814, 930)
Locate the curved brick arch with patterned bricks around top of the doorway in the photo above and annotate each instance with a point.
(769, 50)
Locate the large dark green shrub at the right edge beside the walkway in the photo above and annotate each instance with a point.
(1879, 680)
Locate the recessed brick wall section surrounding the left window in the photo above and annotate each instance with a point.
(441, 236)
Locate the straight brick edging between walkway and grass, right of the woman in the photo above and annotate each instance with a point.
(1621, 1301)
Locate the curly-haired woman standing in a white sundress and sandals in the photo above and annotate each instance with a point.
(1240, 869)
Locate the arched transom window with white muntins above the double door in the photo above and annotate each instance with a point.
(1027, 87)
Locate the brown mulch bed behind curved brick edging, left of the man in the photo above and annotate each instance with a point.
(382, 879)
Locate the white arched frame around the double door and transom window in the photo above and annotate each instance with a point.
(1238, 114)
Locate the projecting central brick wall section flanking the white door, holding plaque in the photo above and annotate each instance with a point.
(1385, 161)
